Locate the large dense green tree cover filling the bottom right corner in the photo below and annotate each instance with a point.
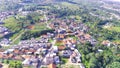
(92, 58)
